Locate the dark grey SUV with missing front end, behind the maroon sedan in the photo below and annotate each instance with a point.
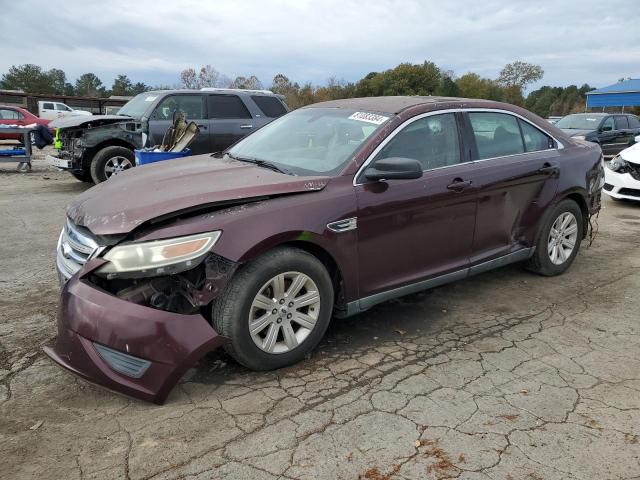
(94, 148)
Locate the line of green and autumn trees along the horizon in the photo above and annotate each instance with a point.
(405, 79)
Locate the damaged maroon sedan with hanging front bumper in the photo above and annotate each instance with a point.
(324, 212)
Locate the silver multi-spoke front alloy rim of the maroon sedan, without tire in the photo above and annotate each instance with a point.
(284, 312)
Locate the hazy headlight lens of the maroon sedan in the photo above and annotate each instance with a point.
(159, 257)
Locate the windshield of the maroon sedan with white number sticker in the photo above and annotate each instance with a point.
(310, 141)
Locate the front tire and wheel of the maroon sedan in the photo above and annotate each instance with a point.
(276, 309)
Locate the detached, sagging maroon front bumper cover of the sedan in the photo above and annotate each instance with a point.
(166, 343)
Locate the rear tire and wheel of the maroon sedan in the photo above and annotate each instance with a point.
(558, 240)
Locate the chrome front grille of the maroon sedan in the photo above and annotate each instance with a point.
(76, 246)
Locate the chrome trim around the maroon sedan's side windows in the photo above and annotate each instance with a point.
(409, 121)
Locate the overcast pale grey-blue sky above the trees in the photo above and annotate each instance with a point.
(576, 42)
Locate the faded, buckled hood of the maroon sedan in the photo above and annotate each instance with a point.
(143, 193)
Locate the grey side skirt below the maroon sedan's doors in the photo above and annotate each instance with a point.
(362, 304)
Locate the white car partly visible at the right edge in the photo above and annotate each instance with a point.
(622, 177)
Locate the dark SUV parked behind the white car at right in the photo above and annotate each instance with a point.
(613, 132)
